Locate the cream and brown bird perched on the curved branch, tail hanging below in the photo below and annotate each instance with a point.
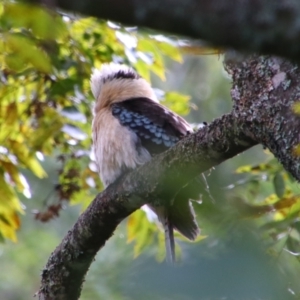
(129, 128)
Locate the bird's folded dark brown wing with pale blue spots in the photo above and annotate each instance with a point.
(157, 127)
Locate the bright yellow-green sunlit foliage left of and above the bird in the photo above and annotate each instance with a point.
(46, 61)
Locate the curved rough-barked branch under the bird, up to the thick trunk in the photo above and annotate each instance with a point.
(63, 276)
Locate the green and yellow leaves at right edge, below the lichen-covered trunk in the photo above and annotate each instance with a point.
(272, 195)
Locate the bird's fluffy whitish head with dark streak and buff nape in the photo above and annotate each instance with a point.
(114, 83)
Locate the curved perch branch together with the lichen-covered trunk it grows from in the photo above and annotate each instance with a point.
(264, 91)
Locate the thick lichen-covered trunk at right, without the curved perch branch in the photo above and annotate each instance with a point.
(264, 92)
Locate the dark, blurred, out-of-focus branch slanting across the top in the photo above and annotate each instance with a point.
(265, 26)
